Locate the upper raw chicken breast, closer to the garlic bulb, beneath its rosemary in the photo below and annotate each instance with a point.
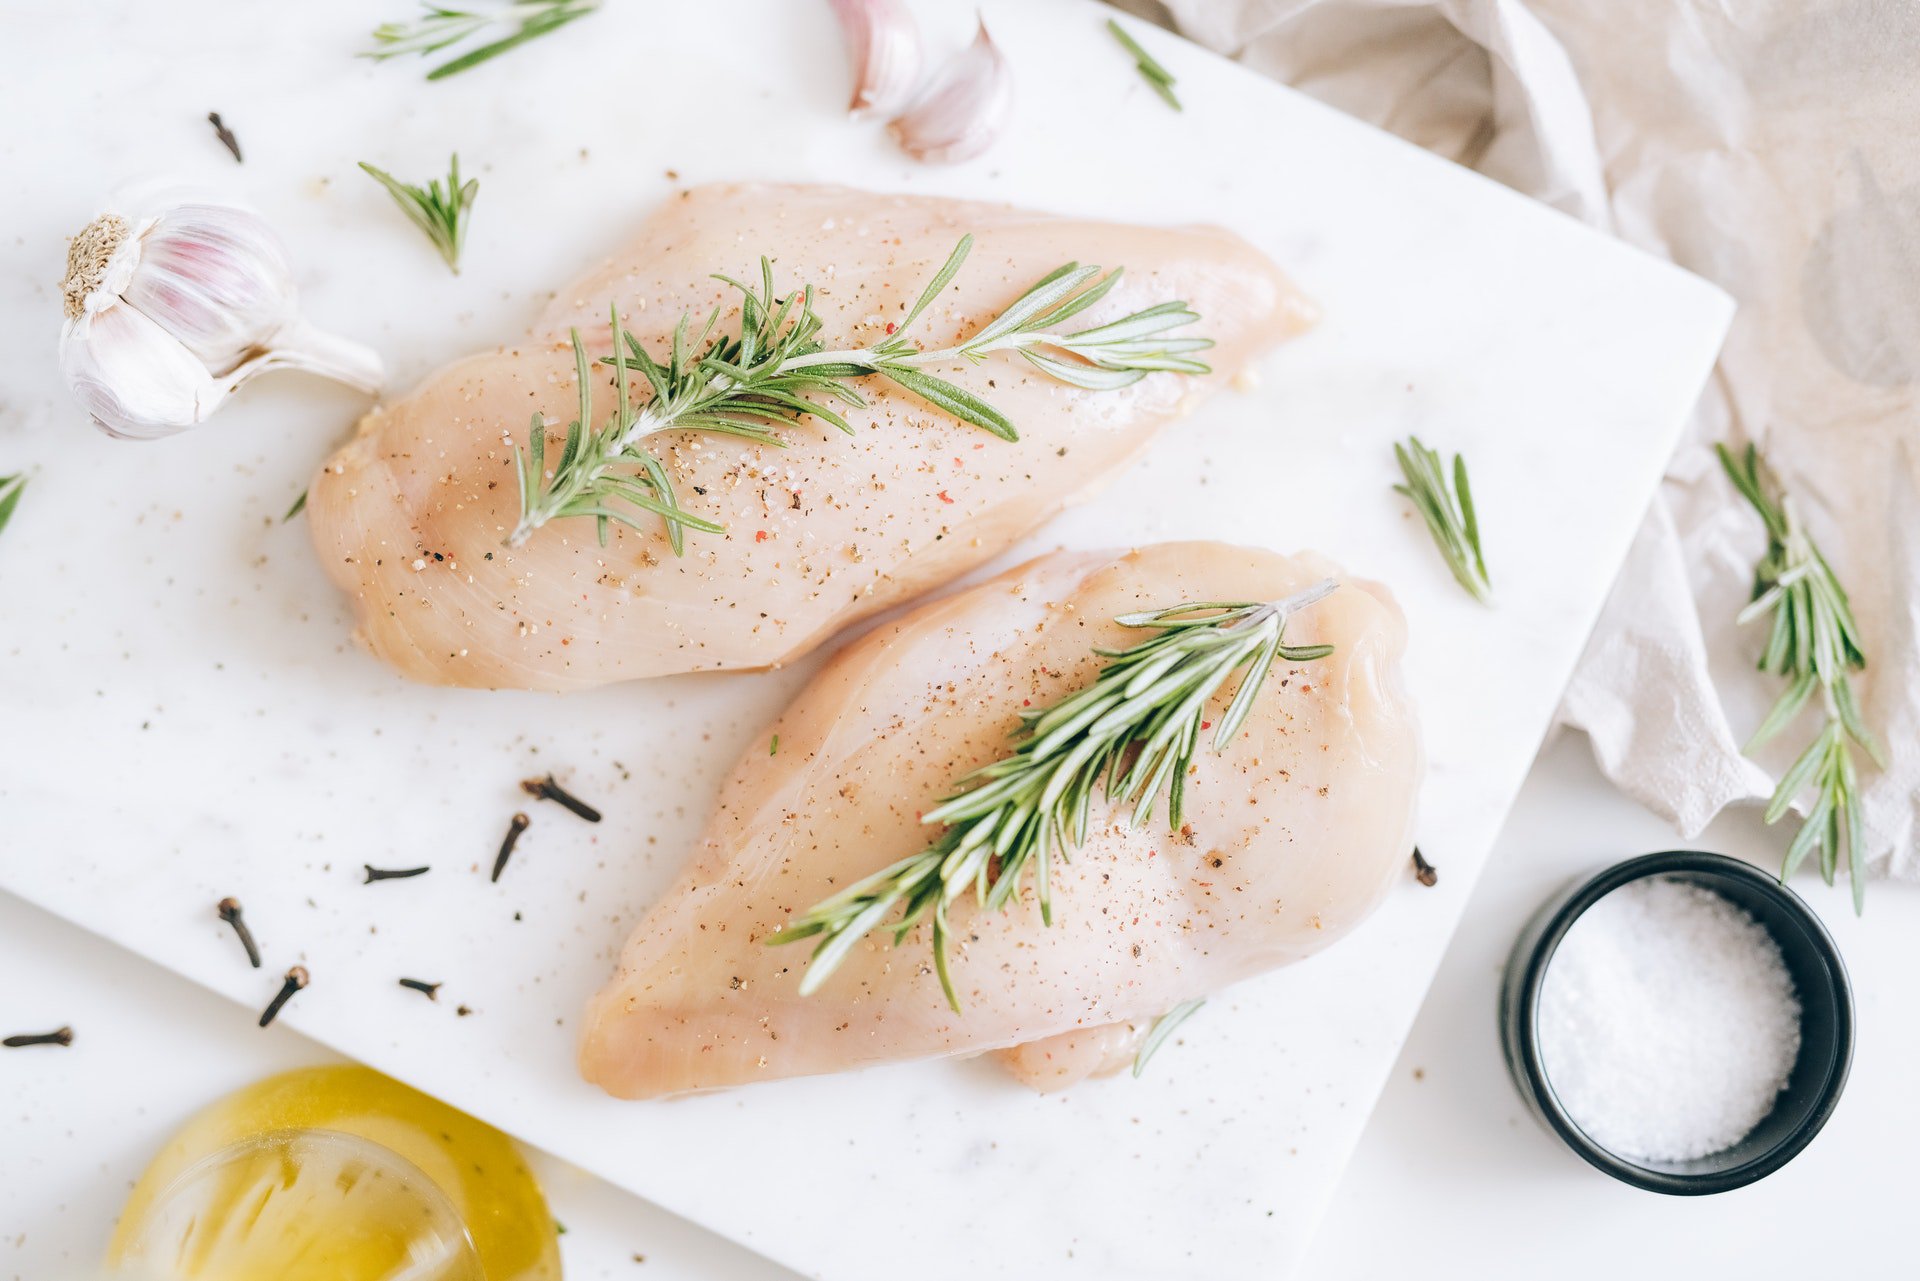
(410, 516)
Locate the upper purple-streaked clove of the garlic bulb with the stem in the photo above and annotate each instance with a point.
(216, 278)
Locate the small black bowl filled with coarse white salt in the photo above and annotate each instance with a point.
(1681, 1021)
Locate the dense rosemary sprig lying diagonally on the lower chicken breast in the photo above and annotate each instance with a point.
(1138, 727)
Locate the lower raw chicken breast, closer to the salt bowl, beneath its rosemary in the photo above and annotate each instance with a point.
(1291, 838)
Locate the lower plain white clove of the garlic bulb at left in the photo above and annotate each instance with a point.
(139, 381)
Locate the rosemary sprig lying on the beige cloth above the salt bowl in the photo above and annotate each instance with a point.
(1815, 646)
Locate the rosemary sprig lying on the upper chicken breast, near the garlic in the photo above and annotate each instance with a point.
(771, 370)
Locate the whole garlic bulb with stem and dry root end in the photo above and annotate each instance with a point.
(174, 304)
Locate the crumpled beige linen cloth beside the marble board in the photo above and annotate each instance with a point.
(1775, 149)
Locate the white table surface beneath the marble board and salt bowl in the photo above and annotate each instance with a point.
(1452, 1171)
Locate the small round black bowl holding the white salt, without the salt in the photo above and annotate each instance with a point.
(1827, 1023)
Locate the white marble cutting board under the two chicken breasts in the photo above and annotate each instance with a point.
(185, 719)
